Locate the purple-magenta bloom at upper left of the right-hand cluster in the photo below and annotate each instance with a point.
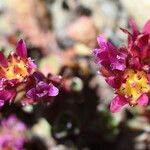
(109, 56)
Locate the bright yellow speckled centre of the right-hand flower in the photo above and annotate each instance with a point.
(136, 84)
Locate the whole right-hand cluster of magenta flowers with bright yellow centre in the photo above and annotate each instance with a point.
(127, 69)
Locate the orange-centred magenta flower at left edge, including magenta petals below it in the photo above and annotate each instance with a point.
(14, 71)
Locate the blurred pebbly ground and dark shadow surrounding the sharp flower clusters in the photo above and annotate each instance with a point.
(60, 36)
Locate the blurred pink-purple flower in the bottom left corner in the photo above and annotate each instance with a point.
(12, 135)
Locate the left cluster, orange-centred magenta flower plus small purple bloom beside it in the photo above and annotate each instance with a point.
(18, 79)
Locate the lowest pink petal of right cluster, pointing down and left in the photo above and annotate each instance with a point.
(117, 103)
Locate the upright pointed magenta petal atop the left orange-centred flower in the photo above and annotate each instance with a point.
(21, 49)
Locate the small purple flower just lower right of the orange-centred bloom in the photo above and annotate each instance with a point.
(40, 88)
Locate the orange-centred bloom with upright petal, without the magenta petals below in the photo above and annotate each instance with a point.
(17, 67)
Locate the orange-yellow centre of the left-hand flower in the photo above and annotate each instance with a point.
(16, 70)
